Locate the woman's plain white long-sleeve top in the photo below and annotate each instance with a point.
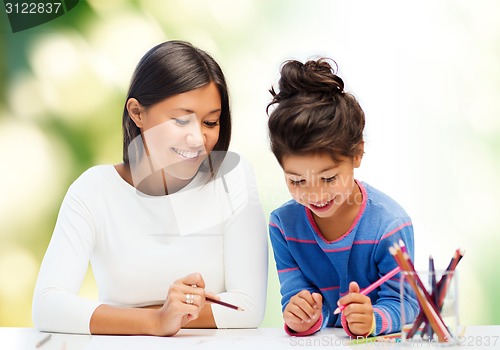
(138, 245)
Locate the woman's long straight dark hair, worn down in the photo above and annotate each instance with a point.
(168, 69)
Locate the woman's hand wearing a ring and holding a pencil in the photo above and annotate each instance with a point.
(185, 299)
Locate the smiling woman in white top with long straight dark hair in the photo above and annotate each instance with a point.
(177, 221)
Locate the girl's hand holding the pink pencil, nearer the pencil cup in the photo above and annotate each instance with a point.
(358, 312)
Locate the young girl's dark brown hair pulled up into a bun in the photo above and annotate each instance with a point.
(313, 114)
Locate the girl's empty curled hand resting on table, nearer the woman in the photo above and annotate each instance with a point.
(303, 310)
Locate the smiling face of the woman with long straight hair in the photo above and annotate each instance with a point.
(180, 131)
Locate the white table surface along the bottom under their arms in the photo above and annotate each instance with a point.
(235, 339)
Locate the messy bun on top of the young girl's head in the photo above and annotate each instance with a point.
(315, 76)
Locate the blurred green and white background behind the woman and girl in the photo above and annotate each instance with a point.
(427, 74)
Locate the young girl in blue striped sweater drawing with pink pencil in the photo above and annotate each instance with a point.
(333, 238)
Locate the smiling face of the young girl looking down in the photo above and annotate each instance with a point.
(320, 183)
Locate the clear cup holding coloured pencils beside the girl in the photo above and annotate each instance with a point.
(436, 321)
